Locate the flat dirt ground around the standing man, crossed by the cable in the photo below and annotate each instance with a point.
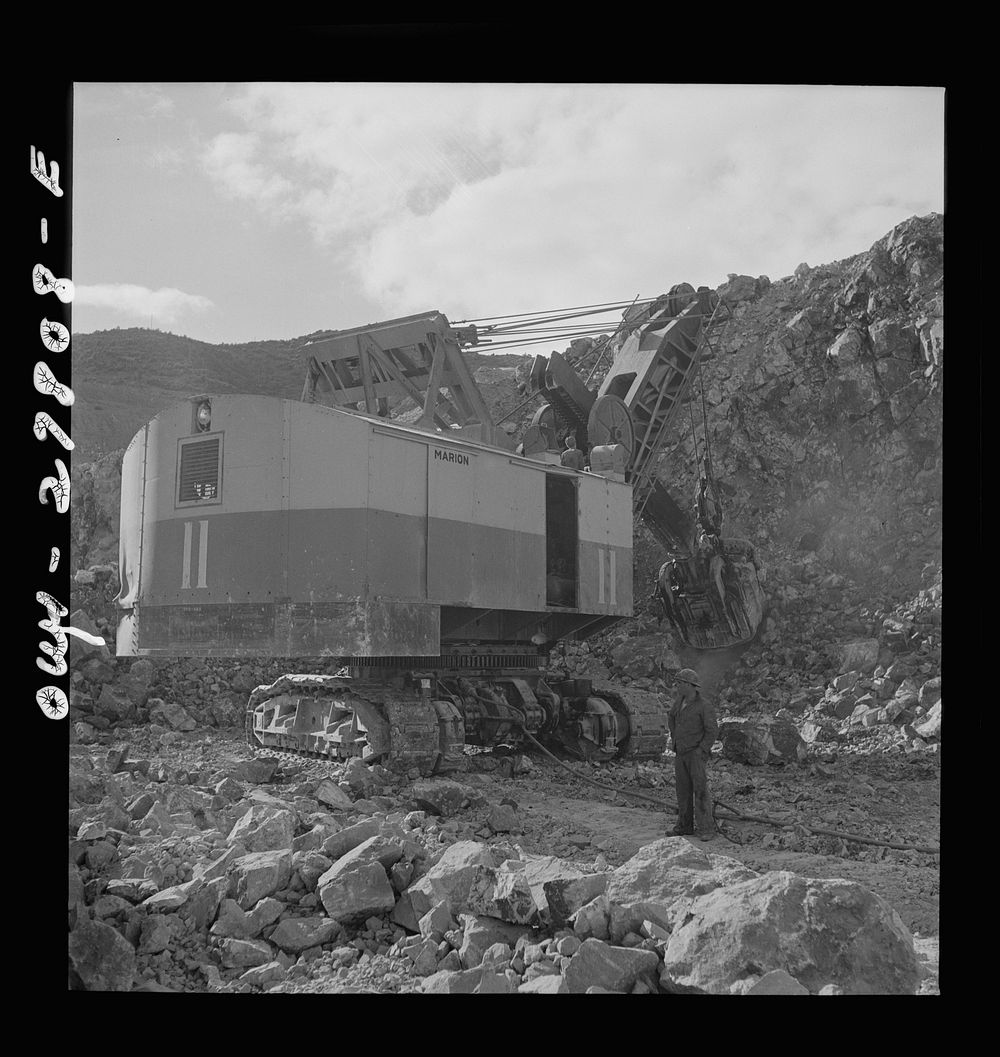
(860, 798)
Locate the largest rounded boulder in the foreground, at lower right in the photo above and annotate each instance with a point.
(826, 932)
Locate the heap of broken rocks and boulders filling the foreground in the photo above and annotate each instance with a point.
(246, 878)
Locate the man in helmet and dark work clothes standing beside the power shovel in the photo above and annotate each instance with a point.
(693, 730)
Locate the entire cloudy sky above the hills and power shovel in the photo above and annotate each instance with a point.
(246, 212)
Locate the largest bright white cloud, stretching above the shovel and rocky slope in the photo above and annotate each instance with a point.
(482, 199)
